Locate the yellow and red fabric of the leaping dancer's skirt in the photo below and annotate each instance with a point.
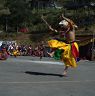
(70, 53)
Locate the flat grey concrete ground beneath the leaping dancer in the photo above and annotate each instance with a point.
(28, 76)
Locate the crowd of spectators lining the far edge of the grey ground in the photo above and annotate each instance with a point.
(40, 50)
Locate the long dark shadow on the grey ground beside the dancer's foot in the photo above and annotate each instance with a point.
(43, 74)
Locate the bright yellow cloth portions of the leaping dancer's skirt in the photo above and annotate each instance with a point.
(67, 56)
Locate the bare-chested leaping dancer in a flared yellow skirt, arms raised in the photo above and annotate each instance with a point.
(66, 51)
